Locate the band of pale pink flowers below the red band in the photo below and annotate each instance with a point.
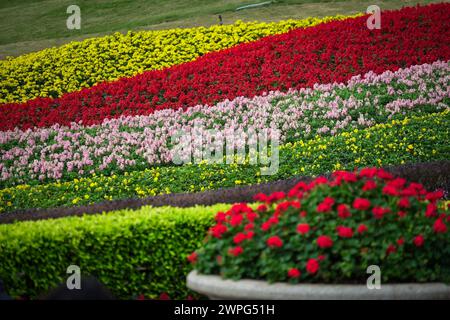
(135, 143)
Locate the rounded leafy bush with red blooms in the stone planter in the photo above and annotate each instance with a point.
(331, 230)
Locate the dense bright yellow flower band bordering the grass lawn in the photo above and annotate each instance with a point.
(55, 71)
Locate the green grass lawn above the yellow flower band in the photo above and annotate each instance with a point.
(30, 25)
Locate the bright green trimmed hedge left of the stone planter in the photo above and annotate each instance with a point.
(131, 252)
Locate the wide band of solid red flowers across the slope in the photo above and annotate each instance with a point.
(331, 52)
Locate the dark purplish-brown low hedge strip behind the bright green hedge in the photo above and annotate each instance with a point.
(433, 175)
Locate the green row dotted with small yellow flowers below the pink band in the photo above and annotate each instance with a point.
(410, 140)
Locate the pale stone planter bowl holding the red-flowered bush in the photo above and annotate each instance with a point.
(217, 288)
